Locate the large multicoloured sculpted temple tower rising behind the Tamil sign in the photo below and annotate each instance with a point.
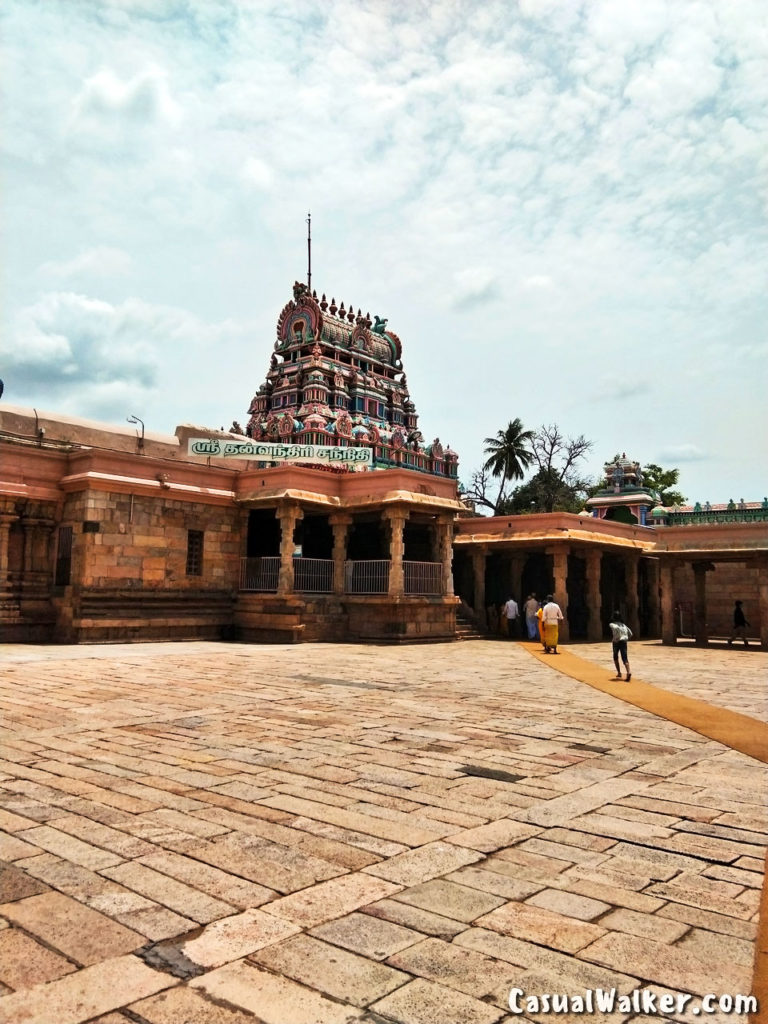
(336, 378)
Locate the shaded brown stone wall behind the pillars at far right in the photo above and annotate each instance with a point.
(729, 582)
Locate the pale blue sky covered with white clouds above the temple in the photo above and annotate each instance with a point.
(560, 205)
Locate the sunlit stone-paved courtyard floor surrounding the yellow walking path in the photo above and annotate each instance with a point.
(202, 834)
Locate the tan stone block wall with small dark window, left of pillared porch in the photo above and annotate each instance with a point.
(130, 576)
